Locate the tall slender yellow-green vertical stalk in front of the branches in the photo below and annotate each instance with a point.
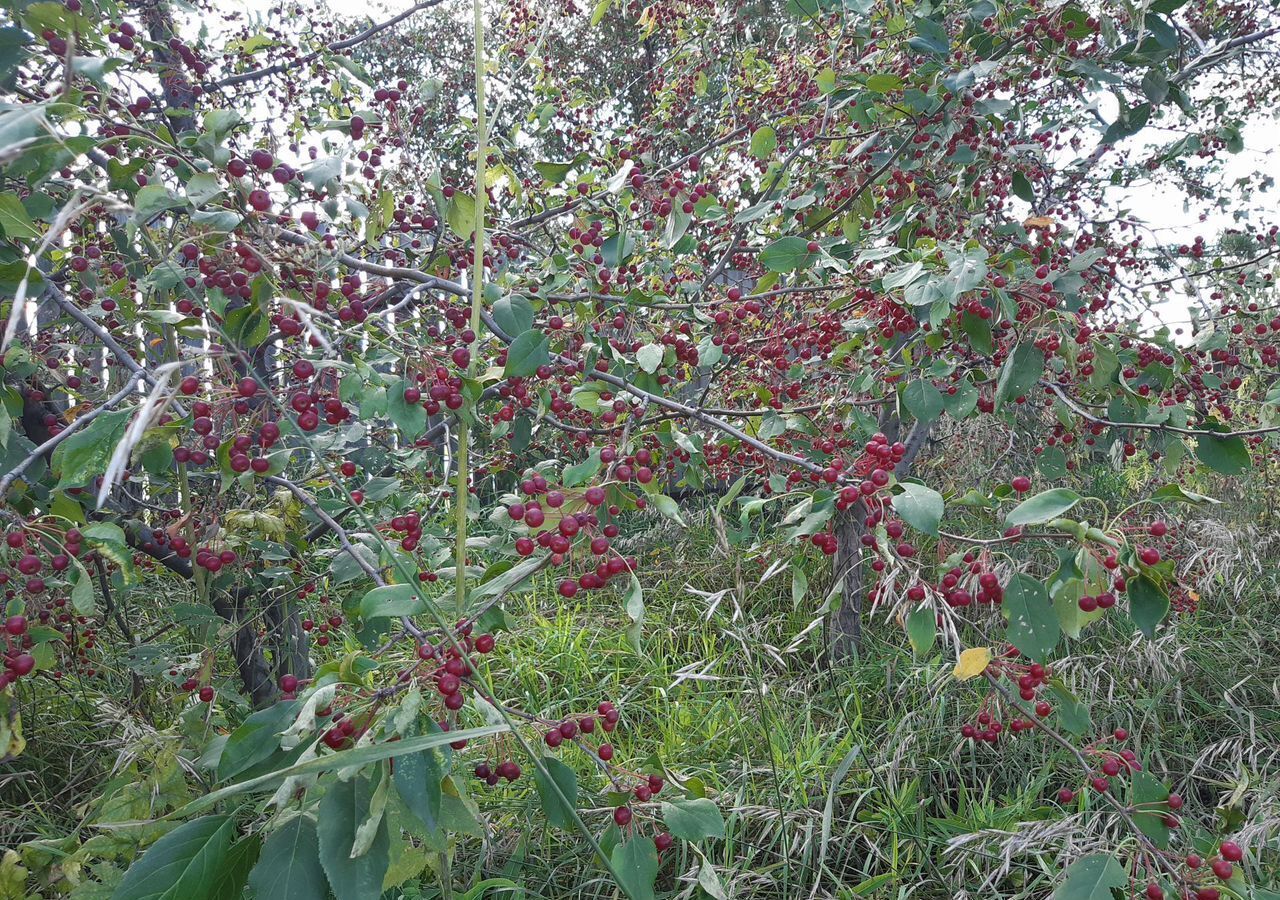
(463, 490)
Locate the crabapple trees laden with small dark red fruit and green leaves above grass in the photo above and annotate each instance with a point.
(323, 341)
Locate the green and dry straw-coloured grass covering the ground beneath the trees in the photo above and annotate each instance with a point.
(835, 783)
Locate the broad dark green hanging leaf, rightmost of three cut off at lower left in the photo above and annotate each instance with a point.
(344, 810)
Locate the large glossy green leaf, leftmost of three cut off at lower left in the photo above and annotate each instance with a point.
(182, 865)
